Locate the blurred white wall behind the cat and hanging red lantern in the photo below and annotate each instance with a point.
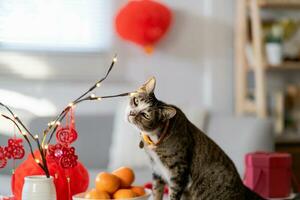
(193, 64)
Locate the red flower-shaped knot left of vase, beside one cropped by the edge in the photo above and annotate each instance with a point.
(14, 149)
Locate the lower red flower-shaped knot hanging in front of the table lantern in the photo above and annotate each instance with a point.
(63, 155)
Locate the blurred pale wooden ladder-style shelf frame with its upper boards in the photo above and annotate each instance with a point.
(250, 11)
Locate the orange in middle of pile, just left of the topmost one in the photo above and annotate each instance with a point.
(107, 182)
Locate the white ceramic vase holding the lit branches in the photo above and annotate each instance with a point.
(38, 188)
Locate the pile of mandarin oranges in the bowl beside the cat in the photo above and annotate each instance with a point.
(115, 185)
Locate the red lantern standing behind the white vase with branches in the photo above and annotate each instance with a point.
(78, 175)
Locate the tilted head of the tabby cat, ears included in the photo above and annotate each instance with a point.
(145, 111)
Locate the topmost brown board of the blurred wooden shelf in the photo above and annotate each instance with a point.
(291, 4)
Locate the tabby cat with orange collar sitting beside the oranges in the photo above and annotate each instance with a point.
(182, 156)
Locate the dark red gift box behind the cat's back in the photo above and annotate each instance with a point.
(269, 174)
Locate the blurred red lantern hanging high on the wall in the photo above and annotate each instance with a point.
(143, 22)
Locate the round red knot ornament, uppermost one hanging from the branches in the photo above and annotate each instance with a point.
(66, 135)
